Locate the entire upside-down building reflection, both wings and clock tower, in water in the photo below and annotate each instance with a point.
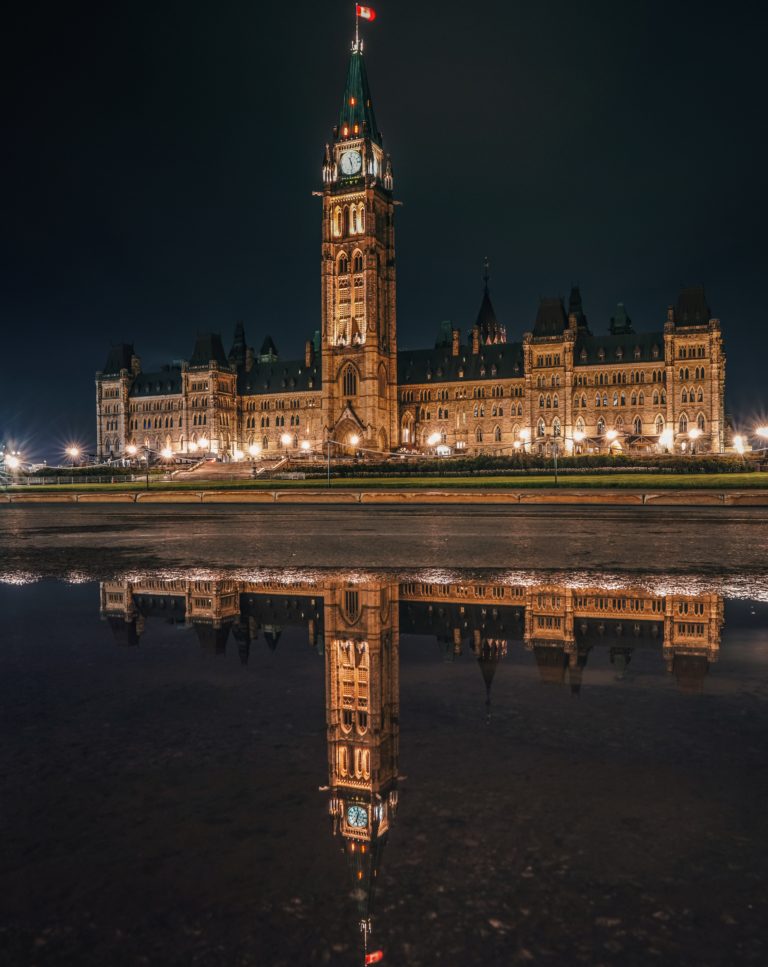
(357, 626)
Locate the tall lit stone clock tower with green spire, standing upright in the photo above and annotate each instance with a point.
(358, 275)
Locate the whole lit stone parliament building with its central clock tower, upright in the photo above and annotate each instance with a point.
(561, 388)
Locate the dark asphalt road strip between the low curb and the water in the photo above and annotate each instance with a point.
(55, 539)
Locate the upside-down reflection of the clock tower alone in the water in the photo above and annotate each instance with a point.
(362, 706)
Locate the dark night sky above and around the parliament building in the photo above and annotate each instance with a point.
(159, 161)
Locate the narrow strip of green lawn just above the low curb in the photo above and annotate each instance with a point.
(634, 481)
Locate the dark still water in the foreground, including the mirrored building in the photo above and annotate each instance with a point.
(481, 767)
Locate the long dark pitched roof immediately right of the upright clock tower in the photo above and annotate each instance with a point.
(437, 365)
